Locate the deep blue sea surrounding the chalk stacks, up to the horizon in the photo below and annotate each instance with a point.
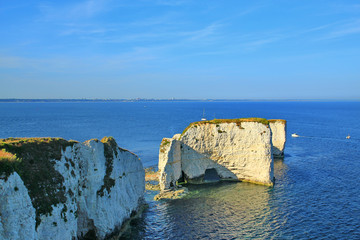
(317, 190)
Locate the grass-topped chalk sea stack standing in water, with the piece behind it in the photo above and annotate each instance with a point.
(233, 149)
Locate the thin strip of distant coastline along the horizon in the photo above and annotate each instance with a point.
(59, 100)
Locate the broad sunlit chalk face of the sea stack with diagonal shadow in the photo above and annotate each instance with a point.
(235, 151)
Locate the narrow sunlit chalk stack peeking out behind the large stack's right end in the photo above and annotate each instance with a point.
(278, 130)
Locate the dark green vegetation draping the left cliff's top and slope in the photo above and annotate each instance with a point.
(32, 159)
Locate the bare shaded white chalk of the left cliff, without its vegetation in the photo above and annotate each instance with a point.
(102, 188)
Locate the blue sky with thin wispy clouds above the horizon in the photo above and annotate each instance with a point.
(194, 49)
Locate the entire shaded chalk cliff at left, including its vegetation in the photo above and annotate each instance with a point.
(55, 189)
